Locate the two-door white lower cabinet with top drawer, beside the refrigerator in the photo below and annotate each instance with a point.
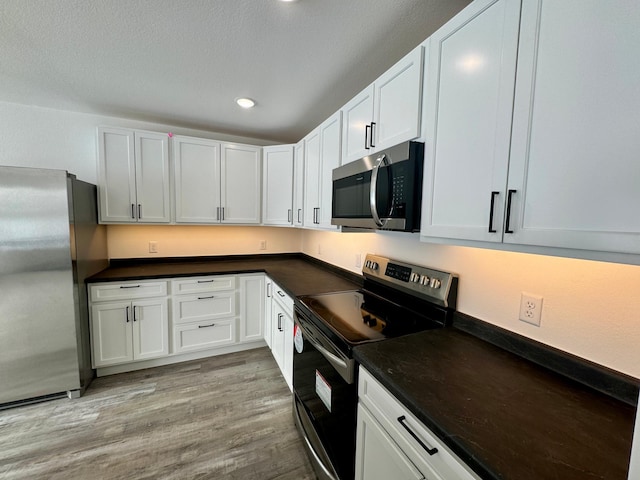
(131, 329)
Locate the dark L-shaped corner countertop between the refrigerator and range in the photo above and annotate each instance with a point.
(296, 273)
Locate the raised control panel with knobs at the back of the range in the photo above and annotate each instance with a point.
(435, 285)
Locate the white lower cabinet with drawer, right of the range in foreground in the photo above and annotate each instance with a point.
(392, 443)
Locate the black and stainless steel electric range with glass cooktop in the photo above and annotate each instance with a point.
(397, 298)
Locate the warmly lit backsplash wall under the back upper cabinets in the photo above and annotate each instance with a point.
(132, 241)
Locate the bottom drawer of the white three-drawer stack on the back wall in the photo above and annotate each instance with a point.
(202, 335)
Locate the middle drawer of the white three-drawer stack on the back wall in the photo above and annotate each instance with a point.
(206, 306)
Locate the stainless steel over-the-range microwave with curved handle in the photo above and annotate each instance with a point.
(381, 191)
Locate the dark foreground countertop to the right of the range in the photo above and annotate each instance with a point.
(505, 416)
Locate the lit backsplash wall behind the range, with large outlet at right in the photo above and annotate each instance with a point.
(590, 309)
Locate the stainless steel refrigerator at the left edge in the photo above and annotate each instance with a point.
(50, 243)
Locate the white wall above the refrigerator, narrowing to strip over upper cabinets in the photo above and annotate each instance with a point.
(46, 138)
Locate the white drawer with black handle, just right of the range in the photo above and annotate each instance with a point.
(388, 412)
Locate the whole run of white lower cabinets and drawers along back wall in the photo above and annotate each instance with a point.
(174, 320)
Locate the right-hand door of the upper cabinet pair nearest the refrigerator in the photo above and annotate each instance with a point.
(152, 177)
